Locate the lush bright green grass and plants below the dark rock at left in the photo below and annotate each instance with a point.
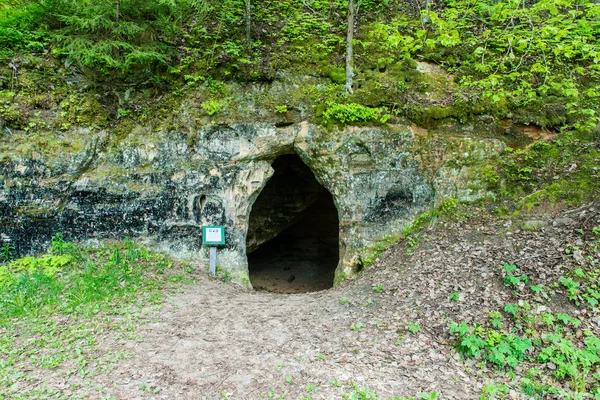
(65, 281)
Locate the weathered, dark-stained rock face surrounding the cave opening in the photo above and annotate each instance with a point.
(162, 187)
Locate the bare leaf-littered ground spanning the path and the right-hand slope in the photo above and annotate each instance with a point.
(381, 336)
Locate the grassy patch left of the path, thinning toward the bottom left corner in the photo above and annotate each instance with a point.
(56, 309)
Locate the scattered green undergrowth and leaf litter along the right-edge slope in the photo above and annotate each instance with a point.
(544, 354)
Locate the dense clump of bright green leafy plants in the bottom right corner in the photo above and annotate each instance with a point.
(575, 359)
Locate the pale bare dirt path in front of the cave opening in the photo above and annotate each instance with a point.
(216, 341)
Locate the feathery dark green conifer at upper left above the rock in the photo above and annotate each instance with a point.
(116, 38)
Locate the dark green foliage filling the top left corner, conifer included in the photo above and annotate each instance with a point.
(134, 41)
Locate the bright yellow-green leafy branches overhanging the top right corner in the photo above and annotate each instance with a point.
(540, 54)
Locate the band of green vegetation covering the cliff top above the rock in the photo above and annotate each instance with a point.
(534, 62)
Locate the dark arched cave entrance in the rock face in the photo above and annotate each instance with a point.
(293, 232)
